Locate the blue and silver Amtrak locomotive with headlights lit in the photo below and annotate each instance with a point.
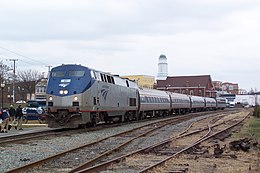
(78, 95)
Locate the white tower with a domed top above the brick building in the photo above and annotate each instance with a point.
(162, 68)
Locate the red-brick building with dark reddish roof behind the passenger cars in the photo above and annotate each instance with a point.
(190, 85)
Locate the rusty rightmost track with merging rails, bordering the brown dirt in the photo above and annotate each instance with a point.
(147, 158)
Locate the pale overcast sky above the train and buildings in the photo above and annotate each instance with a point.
(126, 37)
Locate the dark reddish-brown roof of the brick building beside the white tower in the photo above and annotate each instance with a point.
(181, 81)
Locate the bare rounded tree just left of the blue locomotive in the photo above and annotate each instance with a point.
(27, 79)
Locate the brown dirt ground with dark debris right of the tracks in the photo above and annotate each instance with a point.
(203, 159)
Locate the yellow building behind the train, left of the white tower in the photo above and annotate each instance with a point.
(143, 81)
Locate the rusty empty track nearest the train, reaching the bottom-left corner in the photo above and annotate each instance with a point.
(72, 159)
